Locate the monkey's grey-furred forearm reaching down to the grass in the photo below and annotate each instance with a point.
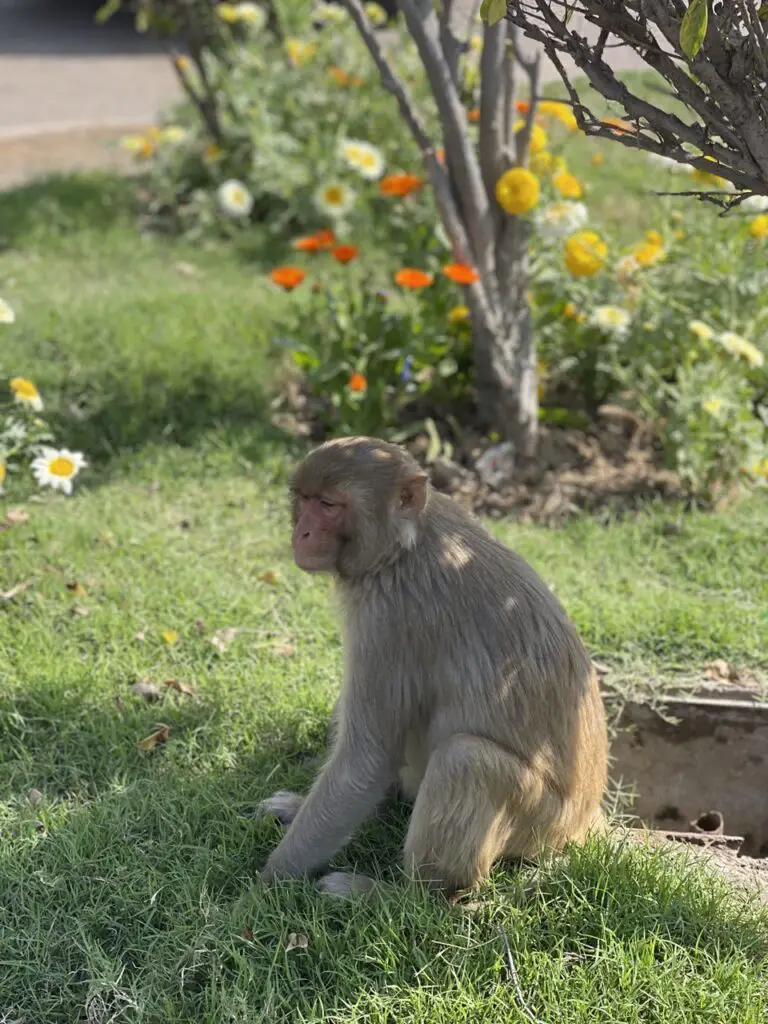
(354, 782)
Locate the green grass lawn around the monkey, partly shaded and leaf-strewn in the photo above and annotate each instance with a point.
(125, 874)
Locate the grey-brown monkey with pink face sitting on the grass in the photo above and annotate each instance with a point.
(465, 684)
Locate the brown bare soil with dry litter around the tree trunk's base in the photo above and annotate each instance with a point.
(614, 465)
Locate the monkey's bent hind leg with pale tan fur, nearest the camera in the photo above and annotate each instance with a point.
(475, 798)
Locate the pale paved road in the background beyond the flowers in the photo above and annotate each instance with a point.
(69, 88)
